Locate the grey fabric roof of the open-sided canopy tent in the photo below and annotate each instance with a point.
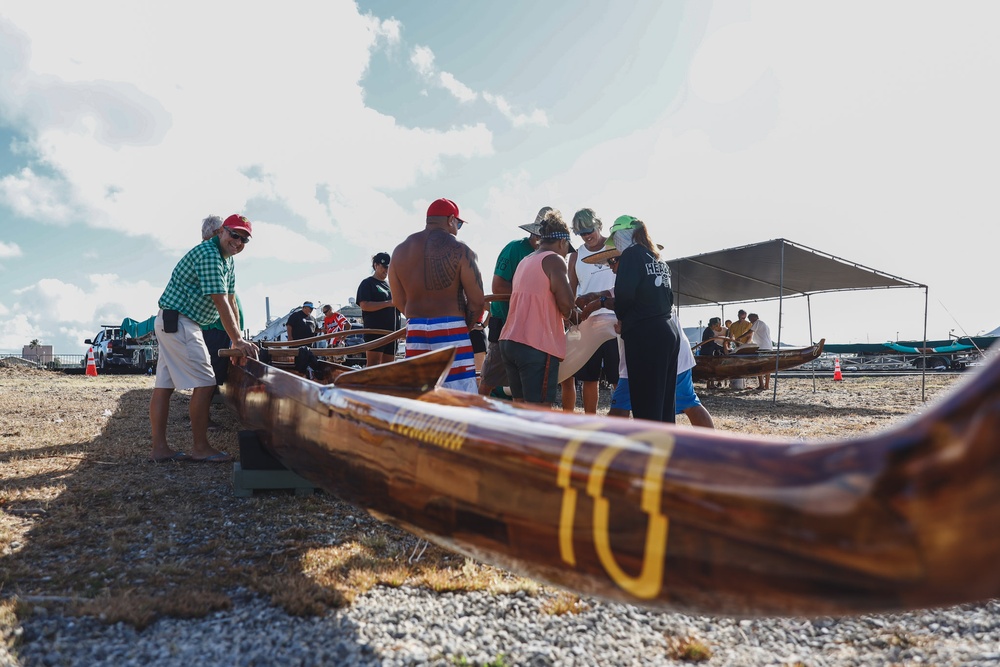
(770, 270)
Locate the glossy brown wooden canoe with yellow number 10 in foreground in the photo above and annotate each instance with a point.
(675, 518)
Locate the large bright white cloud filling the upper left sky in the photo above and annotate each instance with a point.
(205, 111)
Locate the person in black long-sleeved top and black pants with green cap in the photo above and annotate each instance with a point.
(643, 300)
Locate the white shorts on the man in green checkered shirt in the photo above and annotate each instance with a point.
(183, 361)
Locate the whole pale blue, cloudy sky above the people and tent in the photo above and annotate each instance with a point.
(865, 130)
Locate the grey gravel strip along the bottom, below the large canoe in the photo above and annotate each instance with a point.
(414, 627)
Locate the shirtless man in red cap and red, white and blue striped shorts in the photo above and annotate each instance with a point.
(436, 284)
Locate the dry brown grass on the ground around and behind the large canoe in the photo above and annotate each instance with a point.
(89, 525)
